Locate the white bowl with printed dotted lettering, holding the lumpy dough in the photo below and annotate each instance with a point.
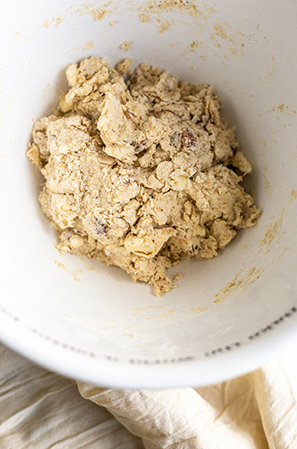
(228, 315)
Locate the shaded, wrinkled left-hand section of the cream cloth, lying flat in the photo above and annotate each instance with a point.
(42, 410)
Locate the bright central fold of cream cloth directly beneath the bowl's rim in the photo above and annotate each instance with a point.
(177, 418)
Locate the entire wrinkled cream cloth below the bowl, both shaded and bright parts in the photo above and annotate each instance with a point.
(42, 410)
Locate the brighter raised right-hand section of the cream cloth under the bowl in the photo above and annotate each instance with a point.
(256, 411)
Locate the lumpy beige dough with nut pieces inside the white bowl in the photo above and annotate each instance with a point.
(141, 171)
